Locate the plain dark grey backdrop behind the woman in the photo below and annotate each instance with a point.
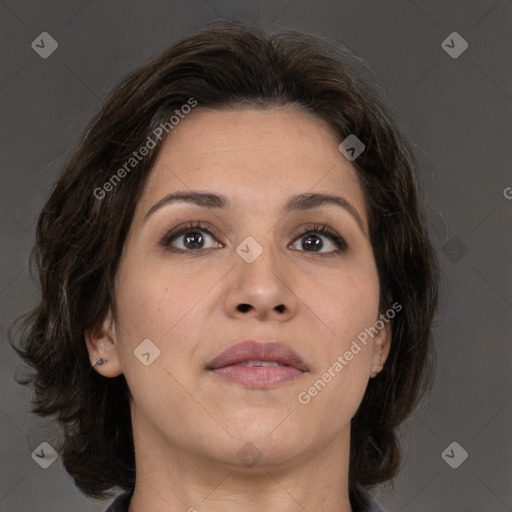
(457, 113)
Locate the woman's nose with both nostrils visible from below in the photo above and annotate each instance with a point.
(262, 288)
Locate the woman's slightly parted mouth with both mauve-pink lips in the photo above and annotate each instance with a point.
(256, 364)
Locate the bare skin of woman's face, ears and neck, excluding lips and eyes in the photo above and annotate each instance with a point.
(188, 423)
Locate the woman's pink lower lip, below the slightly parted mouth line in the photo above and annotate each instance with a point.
(258, 376)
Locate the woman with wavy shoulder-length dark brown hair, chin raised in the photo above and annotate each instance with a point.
(237, 283)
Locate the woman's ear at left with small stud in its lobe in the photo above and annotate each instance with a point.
(101, 342)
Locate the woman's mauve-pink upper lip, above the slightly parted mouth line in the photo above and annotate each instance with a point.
(257, 351)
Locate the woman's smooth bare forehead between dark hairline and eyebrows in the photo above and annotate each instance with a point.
(253, 155)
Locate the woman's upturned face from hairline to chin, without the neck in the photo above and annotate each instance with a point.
(256, 269)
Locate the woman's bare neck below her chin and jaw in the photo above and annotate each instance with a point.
(170, 478)
